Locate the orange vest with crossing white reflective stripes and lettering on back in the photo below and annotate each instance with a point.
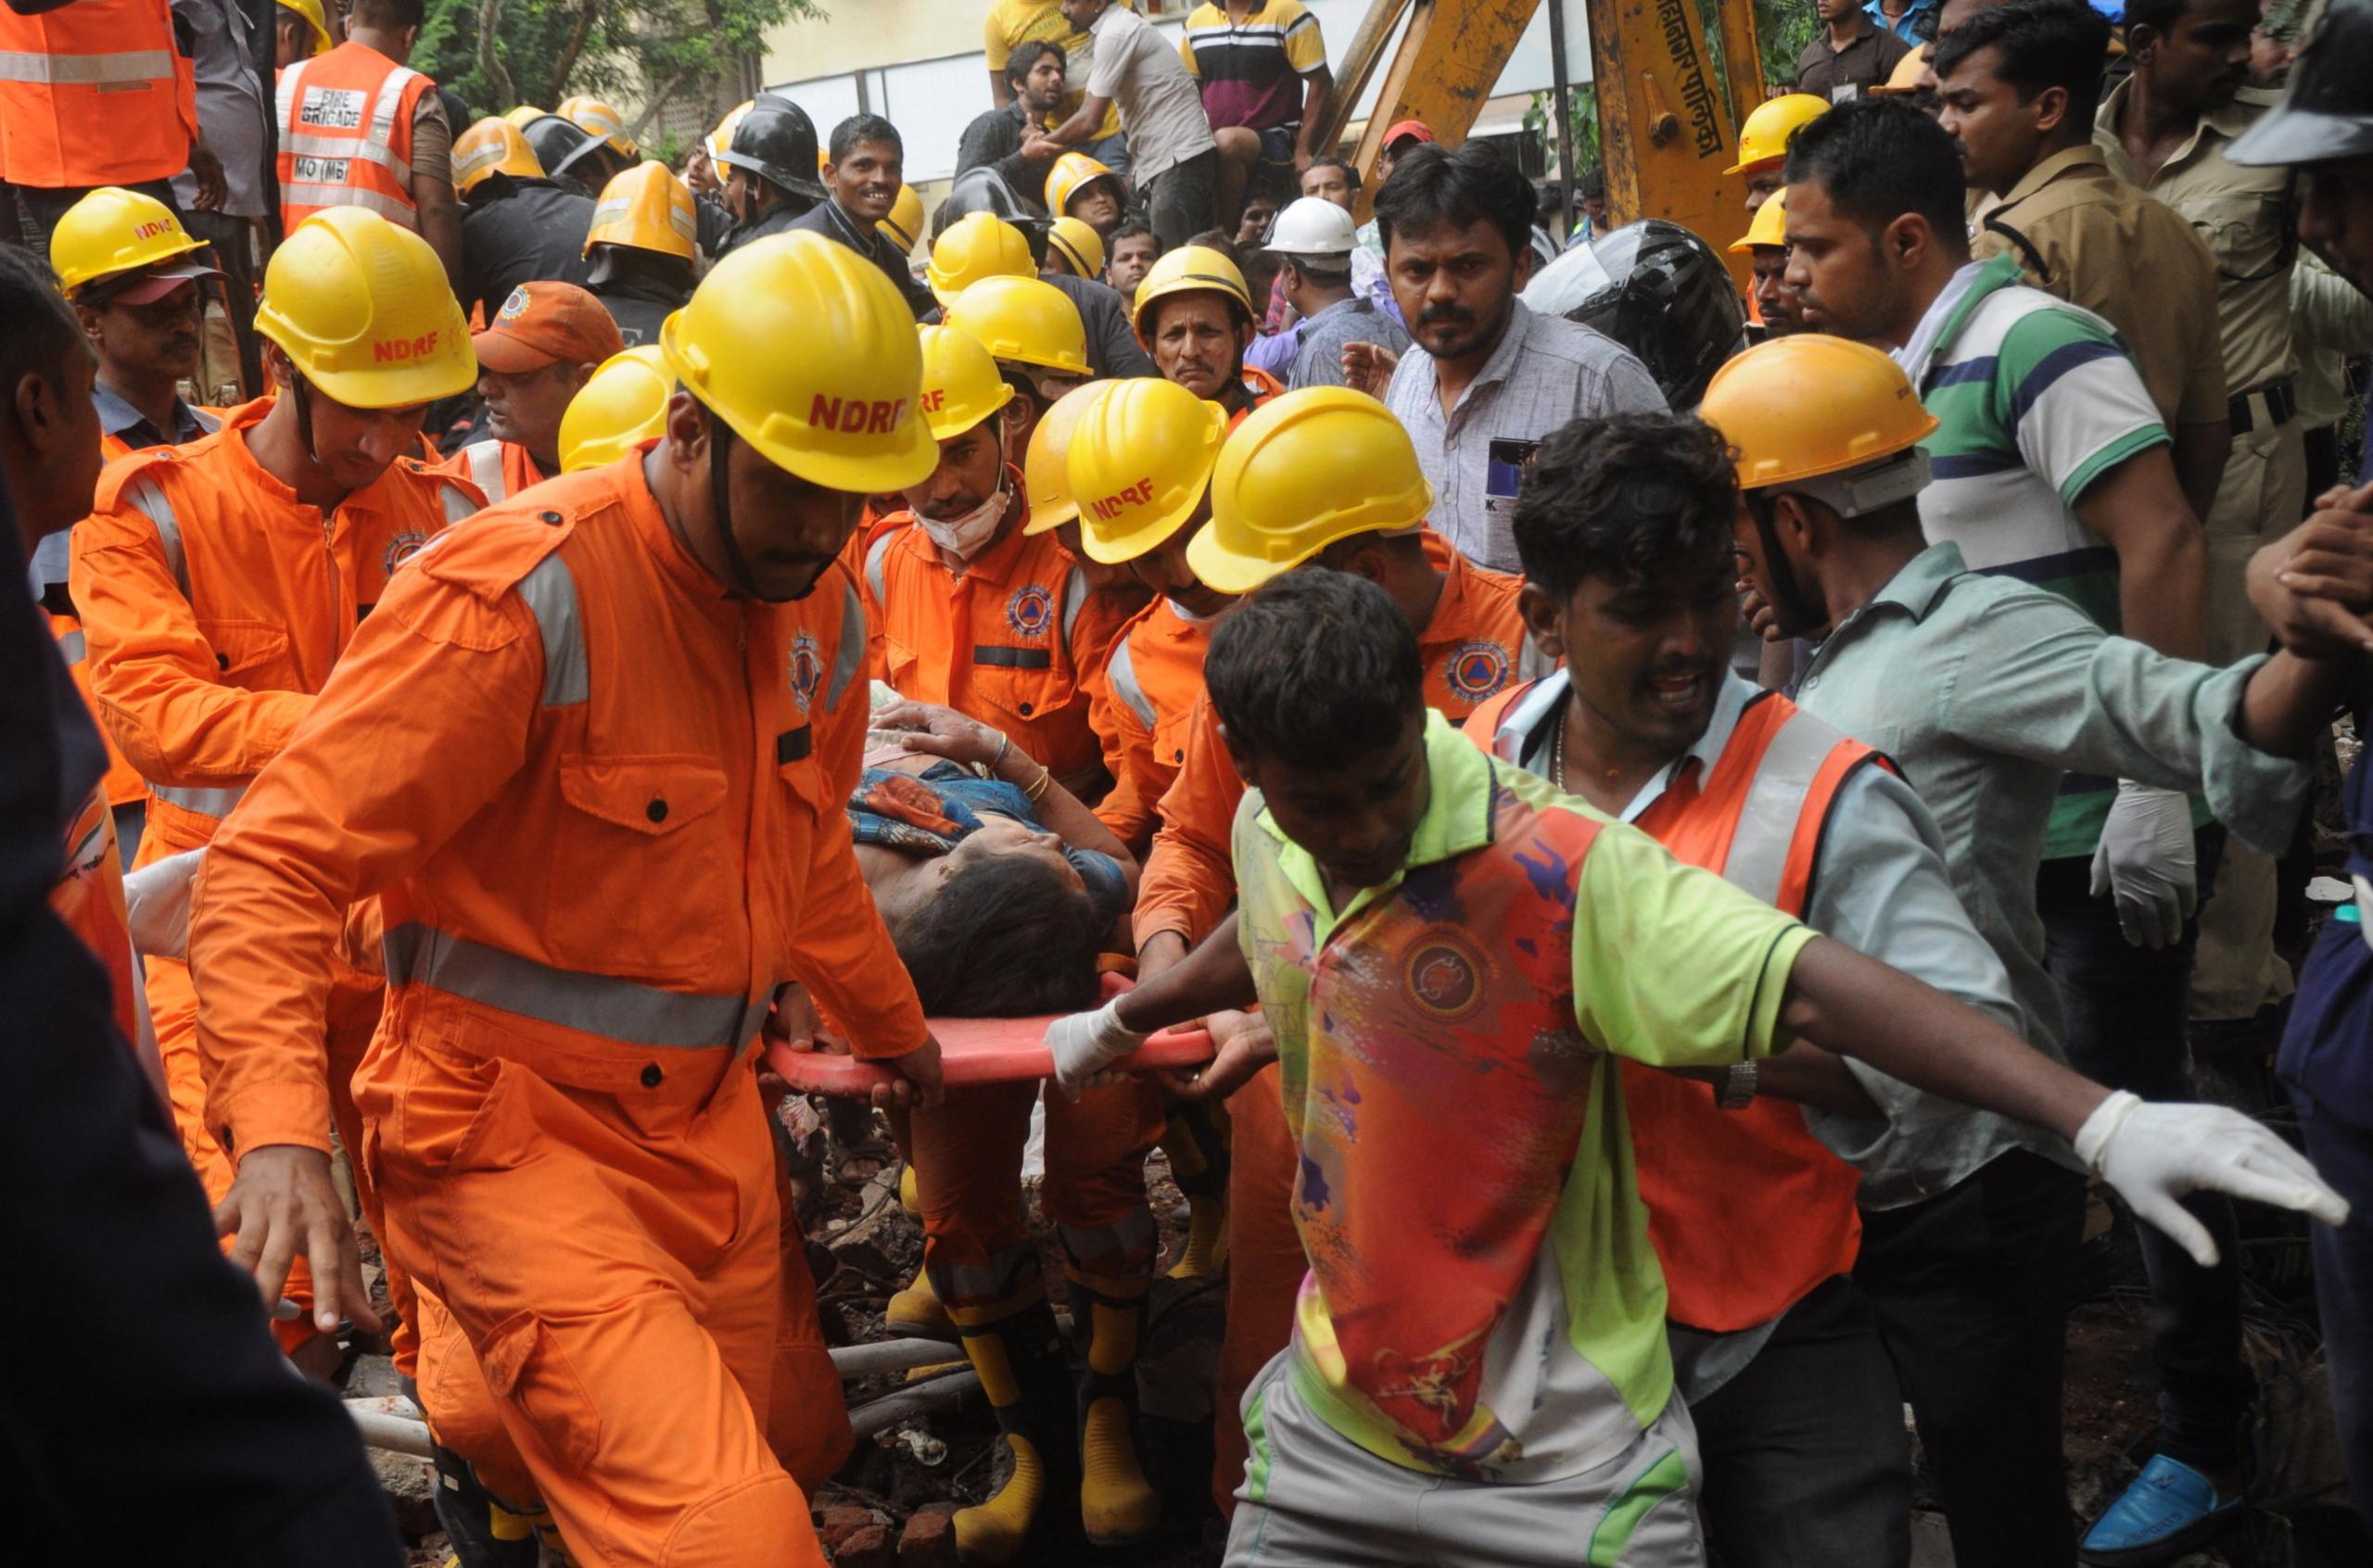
(348, 136)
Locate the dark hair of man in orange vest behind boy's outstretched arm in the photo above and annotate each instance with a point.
(1627, 499)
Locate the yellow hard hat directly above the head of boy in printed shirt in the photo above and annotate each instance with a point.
(1302, 473)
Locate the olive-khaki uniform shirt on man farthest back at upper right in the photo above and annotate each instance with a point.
(2244, 215)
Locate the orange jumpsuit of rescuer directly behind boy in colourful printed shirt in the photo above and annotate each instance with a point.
(1472, 649)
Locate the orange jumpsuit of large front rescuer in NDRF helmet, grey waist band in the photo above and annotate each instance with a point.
(604, 815)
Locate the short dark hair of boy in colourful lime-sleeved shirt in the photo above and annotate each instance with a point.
(1313, 668)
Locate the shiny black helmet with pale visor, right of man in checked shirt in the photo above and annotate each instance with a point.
(1658, 291)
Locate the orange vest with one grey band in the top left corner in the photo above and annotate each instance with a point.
(94, 94)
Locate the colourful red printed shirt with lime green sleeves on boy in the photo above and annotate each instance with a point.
(1489, 1306)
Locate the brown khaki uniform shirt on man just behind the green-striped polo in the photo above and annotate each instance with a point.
(2085, 236)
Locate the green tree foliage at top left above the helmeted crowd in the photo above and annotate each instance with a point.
(545, 51)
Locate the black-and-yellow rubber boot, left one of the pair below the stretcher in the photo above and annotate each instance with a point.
(1019, 1356)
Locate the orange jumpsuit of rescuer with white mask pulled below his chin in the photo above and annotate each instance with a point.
(1003, 644)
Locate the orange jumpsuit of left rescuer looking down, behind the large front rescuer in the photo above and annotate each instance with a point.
(215, 606)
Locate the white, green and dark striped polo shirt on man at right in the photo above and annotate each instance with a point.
(2035, 402)
